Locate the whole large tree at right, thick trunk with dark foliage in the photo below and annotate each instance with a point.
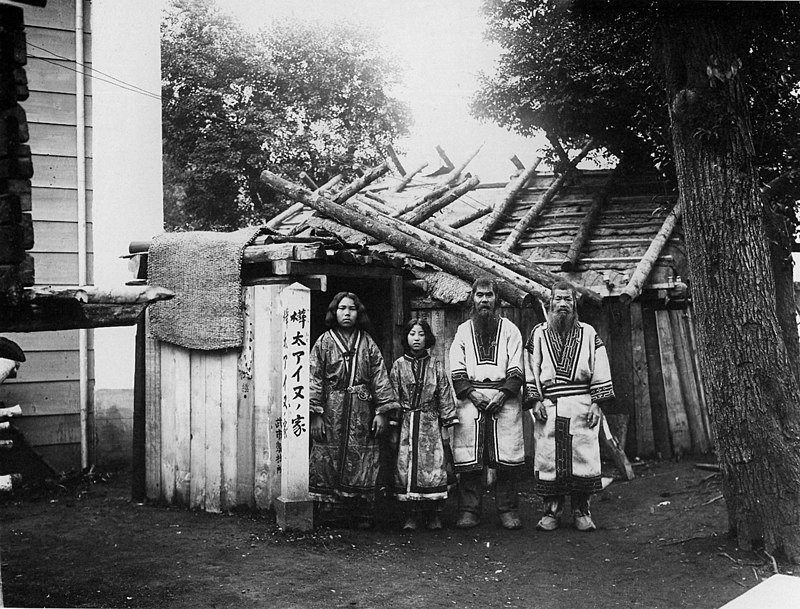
(710, 92)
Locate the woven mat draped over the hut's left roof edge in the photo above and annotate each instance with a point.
(204, 269)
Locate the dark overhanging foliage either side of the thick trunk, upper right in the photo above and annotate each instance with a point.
(591, 68)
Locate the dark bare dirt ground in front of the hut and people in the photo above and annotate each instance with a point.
(661, 542)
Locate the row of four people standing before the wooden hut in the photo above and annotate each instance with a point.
(565, 374)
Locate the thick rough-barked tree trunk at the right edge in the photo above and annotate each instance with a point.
(753, 394)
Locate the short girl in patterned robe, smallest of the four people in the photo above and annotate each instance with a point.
(427, 408)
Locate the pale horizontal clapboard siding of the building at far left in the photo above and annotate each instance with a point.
(47, 384)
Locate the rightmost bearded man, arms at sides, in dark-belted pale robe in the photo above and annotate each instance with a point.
(567, 378)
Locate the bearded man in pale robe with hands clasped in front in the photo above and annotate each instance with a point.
(486, 369)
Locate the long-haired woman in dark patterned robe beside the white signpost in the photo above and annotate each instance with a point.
(350, 396)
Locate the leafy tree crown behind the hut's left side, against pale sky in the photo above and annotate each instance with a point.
(295, 97)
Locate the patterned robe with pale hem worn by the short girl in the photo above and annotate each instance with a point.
(427, 405)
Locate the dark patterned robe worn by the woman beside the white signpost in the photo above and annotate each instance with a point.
(348, 386)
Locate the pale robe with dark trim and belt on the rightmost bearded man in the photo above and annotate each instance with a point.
(567, 375)
